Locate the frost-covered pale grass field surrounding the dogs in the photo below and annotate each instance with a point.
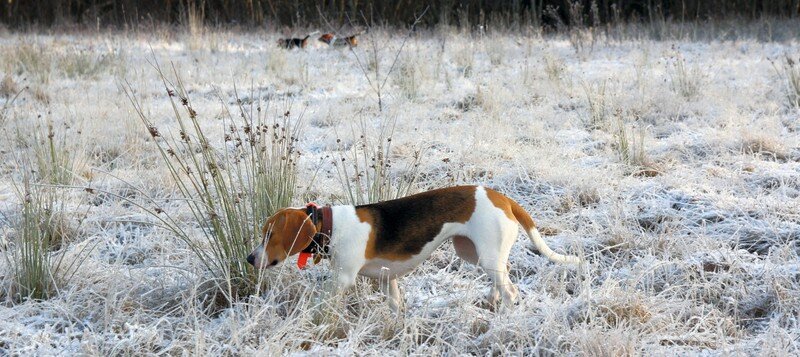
(680, 187)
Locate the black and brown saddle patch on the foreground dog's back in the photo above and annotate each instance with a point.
(402, 227)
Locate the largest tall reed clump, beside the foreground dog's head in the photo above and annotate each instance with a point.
(230, 190)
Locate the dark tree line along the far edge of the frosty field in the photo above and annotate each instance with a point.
(293, 13)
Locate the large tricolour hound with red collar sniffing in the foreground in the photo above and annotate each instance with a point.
(387, 240)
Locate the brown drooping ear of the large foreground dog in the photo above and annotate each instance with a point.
(294, 230)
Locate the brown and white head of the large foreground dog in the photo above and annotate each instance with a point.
(286, 233)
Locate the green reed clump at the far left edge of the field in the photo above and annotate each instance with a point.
(42, 229)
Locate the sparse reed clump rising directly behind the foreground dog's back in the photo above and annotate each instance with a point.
(365, 169)
